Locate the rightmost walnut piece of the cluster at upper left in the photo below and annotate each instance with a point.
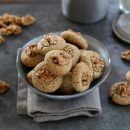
(28, 20)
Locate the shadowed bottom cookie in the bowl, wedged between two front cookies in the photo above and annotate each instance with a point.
(67, 87)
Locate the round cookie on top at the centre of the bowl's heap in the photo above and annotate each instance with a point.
(58, 62)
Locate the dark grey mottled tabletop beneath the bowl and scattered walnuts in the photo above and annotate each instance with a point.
(49, 19)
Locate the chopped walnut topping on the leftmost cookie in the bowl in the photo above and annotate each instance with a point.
(31, 50)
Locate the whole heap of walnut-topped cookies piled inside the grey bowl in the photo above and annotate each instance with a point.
(62, 63)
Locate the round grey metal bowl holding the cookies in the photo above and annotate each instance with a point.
(93, 45)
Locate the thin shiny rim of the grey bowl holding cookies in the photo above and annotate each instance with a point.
(62, 97)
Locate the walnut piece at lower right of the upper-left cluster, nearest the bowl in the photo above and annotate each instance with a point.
(15, 29)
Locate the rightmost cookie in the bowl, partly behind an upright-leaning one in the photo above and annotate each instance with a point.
(94, 61)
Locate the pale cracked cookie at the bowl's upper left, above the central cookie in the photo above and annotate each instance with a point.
(50, 42)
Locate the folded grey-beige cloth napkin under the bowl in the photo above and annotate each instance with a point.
(42, 109)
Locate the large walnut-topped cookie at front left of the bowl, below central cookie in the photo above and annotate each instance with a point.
(44, 80)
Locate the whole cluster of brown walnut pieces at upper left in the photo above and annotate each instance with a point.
(11, 24)
